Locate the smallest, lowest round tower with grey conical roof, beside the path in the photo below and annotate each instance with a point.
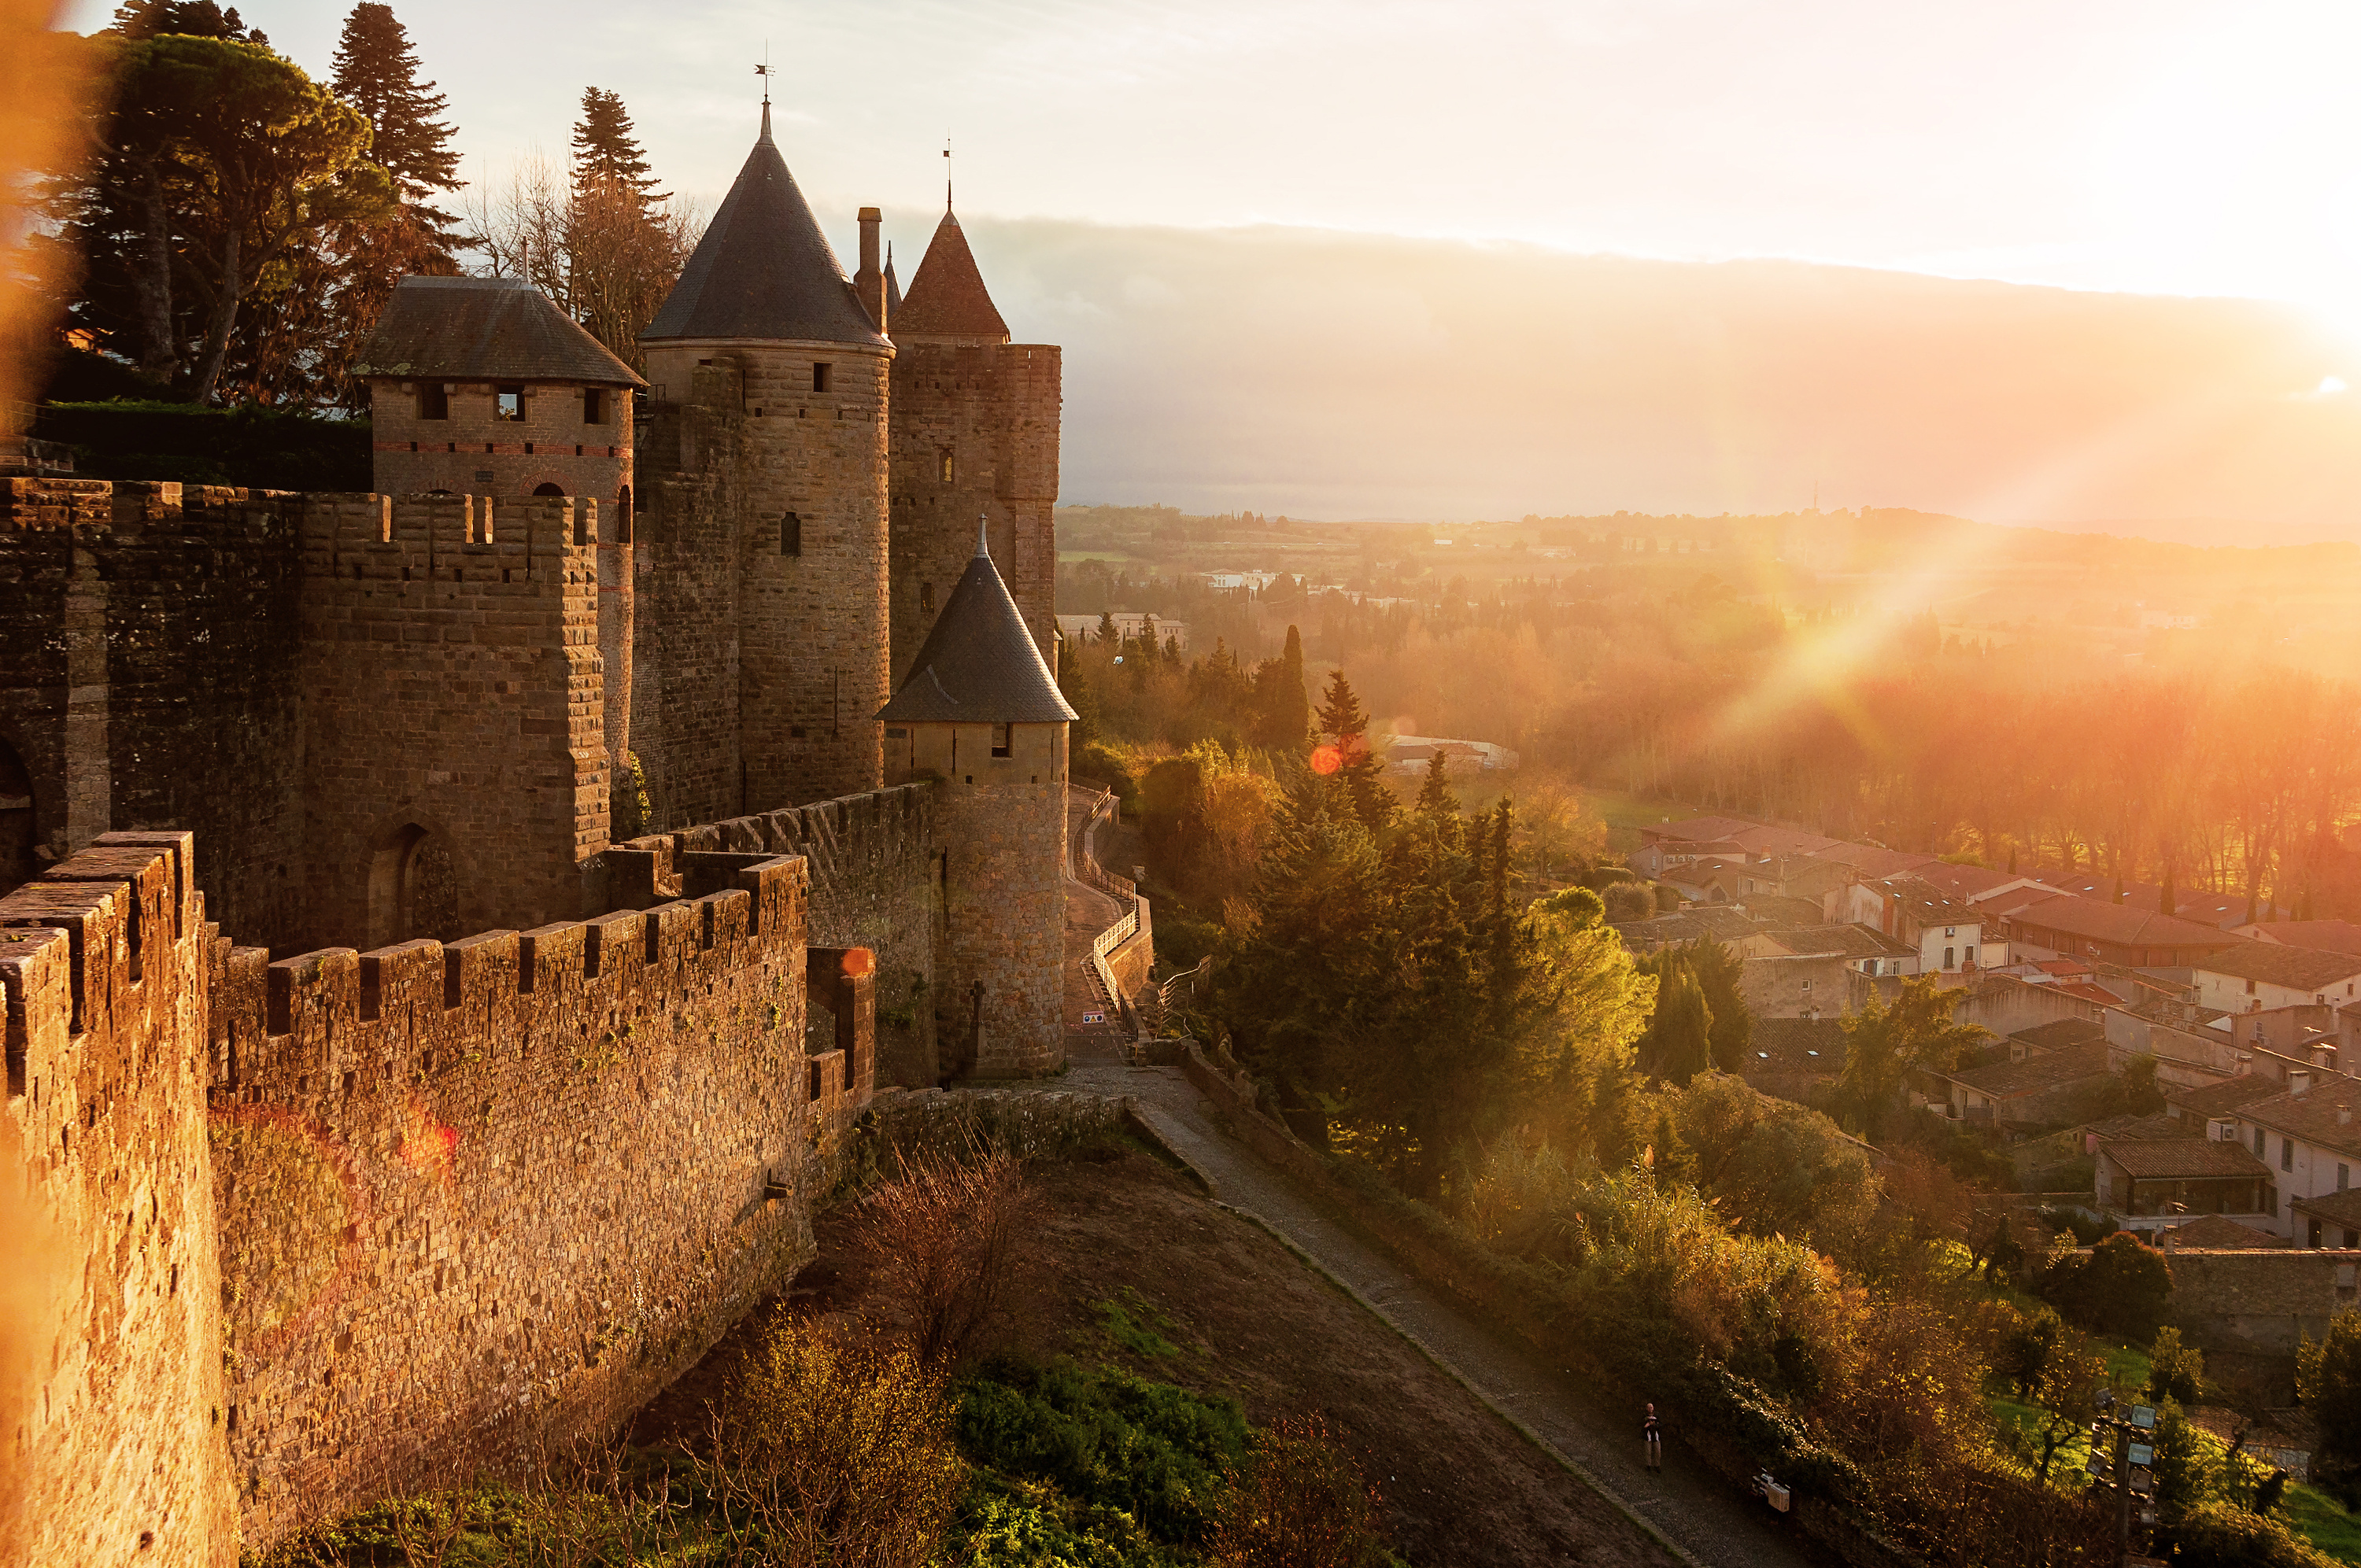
(983, 717)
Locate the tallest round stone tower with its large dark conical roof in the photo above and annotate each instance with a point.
(766, 570)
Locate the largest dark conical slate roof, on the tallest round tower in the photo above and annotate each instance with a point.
(764, 270)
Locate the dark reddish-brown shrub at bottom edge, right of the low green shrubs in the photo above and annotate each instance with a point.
(1300, 1503)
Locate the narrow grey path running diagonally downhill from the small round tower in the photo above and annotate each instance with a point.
(1692, 1508)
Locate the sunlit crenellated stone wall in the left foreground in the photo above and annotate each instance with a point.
(452, 1201)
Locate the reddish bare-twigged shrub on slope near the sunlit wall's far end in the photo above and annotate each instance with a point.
(946, 1243)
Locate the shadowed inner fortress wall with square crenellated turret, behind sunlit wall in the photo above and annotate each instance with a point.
(393, 705)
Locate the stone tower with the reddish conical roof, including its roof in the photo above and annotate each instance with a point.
(974, 436)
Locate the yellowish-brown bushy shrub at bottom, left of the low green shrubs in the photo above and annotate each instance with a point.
(835, 1451)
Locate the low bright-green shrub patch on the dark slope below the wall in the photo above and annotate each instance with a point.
(1106, 1437)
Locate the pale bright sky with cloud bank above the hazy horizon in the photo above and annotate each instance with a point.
(2197, 152)
